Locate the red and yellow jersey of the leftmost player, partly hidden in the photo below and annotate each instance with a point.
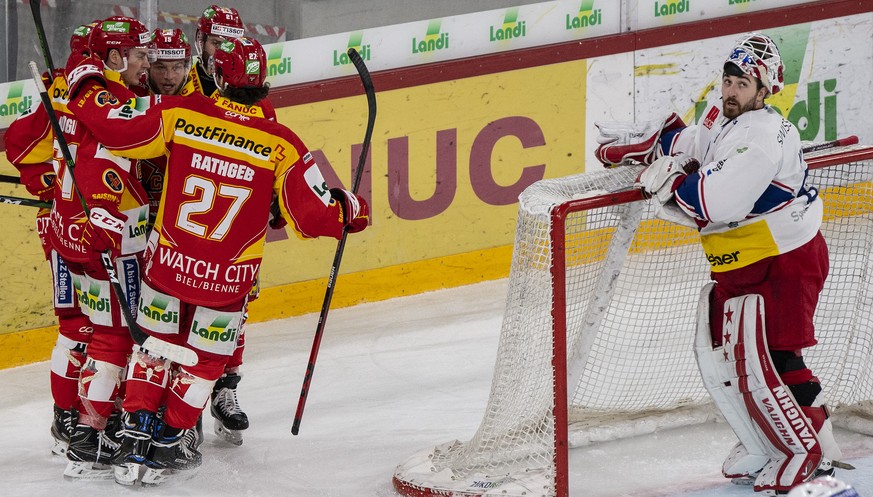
(30, 143)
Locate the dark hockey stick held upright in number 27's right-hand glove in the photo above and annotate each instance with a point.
(334, 270)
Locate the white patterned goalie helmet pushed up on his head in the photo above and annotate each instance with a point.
(757, 56)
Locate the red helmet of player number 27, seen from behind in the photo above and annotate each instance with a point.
(241, 62)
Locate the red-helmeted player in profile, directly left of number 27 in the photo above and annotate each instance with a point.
(117, 213)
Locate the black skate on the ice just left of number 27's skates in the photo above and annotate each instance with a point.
(90, 454)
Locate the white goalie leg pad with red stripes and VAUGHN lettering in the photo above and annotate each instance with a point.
(788, 437)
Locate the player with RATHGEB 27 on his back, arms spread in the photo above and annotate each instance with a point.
(224, 164)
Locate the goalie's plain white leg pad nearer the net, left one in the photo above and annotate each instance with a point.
(749, 455)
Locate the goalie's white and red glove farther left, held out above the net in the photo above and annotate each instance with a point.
(625, 143)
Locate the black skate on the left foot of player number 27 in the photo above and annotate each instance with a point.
(136, 435)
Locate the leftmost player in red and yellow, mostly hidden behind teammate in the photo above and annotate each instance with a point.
(29, 147)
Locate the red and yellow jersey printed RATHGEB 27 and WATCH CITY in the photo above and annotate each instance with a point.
(223, 168)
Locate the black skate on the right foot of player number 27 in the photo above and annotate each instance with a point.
(172, 452)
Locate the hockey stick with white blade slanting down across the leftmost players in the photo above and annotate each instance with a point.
(175, 353)
